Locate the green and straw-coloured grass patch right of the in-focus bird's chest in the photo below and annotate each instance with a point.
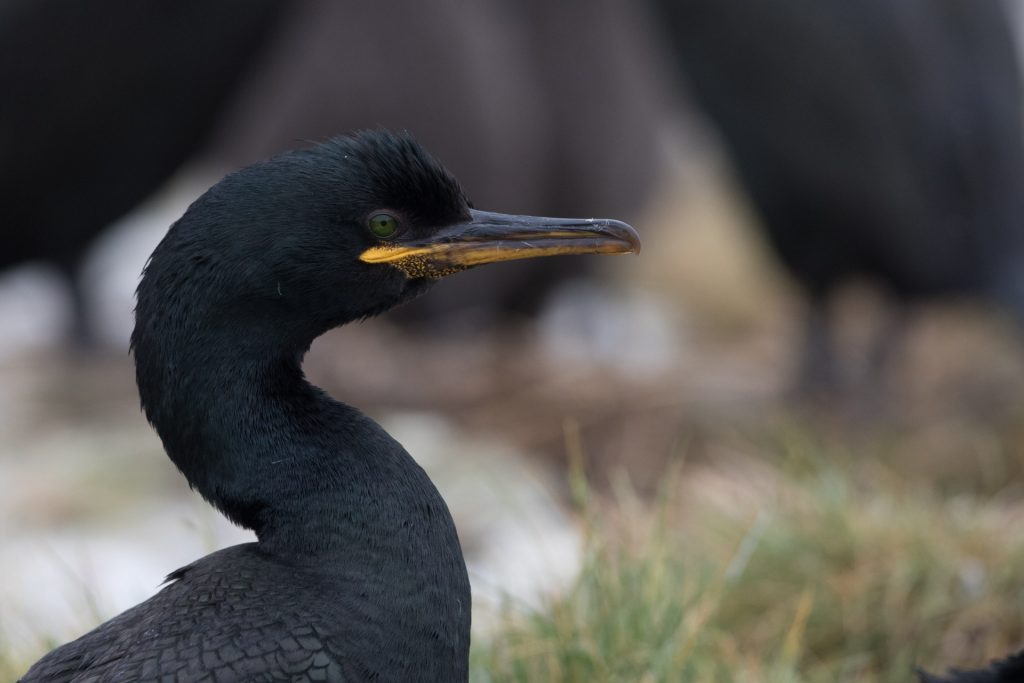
(819, 571)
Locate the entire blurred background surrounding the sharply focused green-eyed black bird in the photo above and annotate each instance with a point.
(809, 386)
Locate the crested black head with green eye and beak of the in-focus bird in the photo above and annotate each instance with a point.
(339, 232)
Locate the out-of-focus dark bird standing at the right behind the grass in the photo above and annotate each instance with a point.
(878, 140)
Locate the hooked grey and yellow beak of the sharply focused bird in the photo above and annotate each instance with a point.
(489, 238)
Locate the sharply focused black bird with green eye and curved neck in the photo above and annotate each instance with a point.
(358, 574)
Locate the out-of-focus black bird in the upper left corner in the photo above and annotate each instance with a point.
(102, 104)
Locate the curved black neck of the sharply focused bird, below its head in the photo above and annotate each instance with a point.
(310, 475)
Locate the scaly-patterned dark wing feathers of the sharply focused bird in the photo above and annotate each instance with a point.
(211, 624)
